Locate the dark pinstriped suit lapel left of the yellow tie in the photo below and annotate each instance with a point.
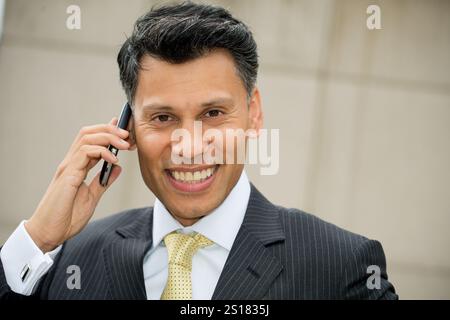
(124, 258)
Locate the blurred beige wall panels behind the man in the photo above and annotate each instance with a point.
(364, 115)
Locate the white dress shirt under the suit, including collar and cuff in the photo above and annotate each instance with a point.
(220, 226)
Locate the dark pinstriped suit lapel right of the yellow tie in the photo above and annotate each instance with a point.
(251, 268)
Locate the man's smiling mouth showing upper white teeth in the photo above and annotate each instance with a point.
(187, 179)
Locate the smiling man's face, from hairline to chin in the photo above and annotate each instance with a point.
(173, 96)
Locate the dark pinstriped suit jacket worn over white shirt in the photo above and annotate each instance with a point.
(278, 253)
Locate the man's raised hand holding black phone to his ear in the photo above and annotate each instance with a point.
(69, 202)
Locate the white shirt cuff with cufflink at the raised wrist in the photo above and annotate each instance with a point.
(23, 262)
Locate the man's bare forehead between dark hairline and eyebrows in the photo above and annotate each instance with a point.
(209, 80)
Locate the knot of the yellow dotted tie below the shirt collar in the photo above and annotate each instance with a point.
(182, 247)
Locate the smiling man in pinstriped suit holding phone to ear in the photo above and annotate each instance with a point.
(210, 233)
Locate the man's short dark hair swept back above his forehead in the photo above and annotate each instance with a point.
(180, 32)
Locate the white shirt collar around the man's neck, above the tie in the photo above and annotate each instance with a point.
(229, 213)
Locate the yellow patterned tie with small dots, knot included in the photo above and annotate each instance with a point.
(181, 248)
